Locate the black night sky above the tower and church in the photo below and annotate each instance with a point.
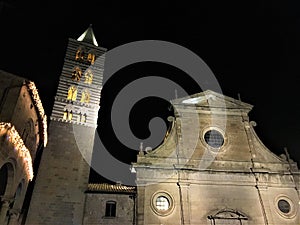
(252, 47)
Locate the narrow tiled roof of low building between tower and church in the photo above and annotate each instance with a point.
(111, 188)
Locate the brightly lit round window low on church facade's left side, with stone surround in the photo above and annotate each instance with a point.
(162, 203)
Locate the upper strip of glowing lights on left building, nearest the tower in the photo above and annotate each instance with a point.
(37, 102)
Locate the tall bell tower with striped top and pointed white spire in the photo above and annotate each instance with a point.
(62, 177)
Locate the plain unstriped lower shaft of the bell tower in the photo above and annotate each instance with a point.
(58, 195)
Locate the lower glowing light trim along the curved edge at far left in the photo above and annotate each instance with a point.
(23, 153)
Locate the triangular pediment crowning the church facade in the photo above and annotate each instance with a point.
(211, 99)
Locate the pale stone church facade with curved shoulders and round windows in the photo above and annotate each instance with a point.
(213, 169)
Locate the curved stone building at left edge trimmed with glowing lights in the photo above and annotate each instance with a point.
(22, 134)
